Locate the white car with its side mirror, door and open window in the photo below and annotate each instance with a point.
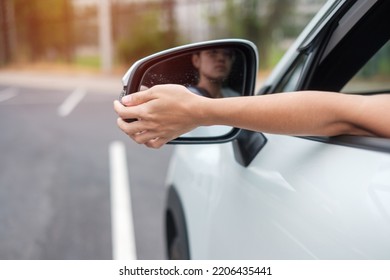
(249, 195)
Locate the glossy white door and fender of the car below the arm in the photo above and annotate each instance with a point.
(297, 203)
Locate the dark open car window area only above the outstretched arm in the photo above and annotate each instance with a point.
(354, 51)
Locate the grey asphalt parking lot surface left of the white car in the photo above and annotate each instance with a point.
(55, 172)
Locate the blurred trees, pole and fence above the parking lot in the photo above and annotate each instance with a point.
(111, 34)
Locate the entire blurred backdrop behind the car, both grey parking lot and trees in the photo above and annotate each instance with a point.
(61, 63)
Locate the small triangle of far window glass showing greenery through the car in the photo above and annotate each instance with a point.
(374, 76)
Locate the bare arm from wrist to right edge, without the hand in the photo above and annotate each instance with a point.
(308, 113)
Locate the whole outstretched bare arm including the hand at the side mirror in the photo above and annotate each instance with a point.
(166, 112)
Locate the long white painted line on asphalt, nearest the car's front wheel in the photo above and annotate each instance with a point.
(123, 240)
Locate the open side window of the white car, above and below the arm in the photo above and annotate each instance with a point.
(354, 58)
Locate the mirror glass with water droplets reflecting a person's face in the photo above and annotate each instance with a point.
(213, 73)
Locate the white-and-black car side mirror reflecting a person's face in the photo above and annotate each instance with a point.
(214, 69)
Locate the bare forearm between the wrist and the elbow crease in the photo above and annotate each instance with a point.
(298, 113)
